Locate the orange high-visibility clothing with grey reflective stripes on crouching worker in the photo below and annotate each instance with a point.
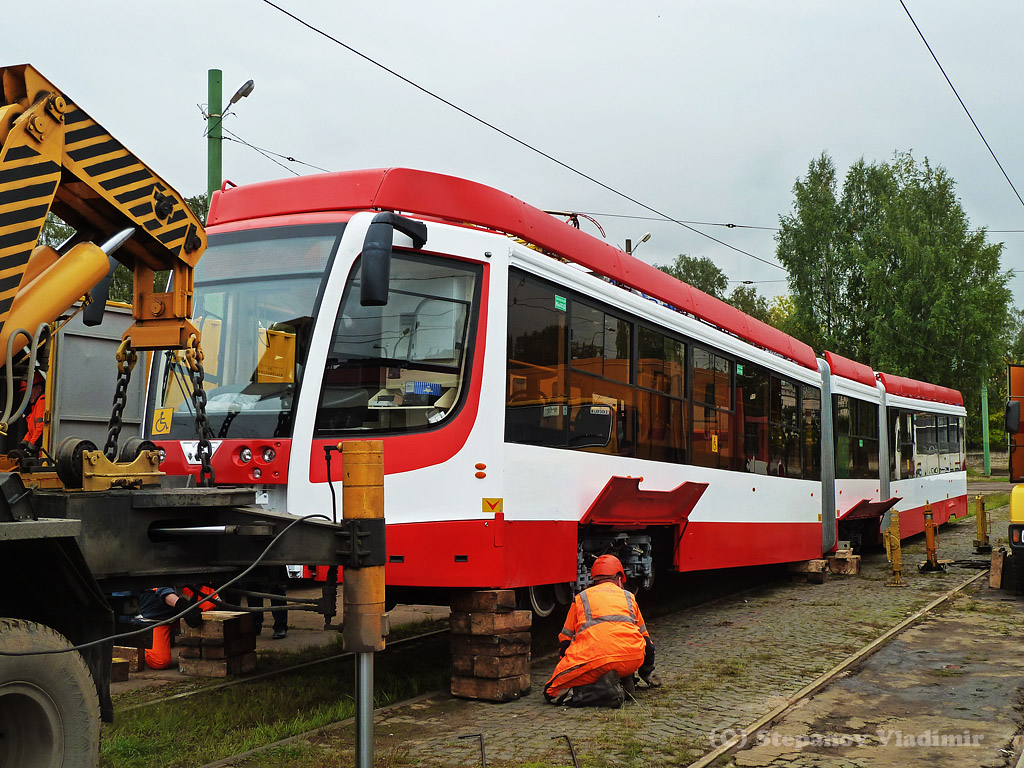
(606, 631)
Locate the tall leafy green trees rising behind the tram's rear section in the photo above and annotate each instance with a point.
(891, 274)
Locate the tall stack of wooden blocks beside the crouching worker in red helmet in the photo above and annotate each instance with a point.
(490, 647)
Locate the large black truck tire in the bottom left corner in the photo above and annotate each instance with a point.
(50, 712)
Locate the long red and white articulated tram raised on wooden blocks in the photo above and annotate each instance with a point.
(543, 398)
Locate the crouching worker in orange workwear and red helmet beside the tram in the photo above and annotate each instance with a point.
(604, 644)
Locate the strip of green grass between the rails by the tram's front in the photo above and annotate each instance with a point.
(201, 730)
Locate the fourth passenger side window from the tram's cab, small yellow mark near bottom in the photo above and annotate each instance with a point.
(713, 435)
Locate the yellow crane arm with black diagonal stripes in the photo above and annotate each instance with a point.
(55, 157)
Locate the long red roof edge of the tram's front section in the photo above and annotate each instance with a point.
(463, 202)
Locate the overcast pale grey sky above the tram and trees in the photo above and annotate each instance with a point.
(705, 111)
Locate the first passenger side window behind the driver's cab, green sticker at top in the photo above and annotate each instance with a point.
(537, 403)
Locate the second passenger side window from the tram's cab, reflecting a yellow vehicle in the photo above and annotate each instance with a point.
(603, 410)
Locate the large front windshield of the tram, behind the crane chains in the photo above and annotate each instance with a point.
(257, 298)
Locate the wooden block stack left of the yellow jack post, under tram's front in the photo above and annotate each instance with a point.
(224, 645)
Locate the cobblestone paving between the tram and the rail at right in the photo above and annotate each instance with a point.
(723, 666)
